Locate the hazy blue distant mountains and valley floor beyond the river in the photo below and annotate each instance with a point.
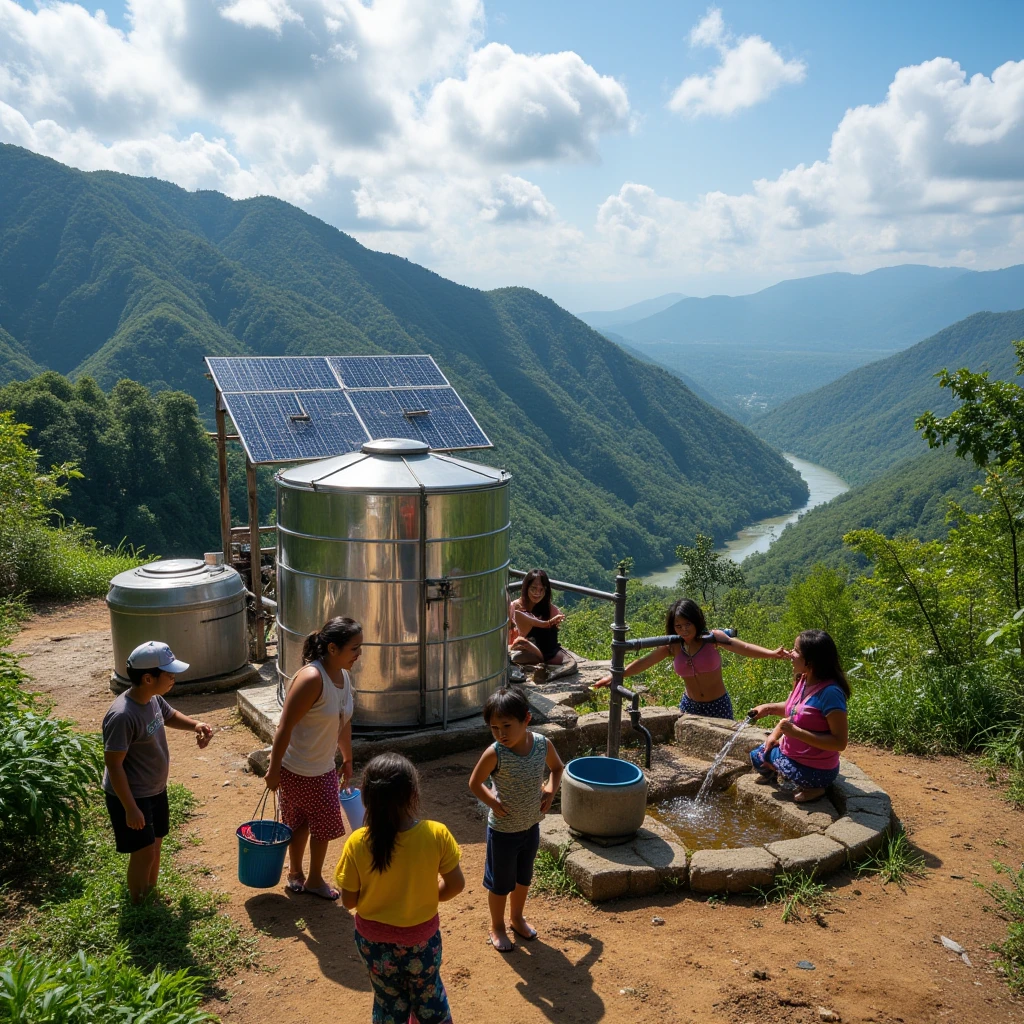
(755, 352)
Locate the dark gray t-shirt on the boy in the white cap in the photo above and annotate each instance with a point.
(139, 730)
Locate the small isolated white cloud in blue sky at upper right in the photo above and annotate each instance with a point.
(751, 70)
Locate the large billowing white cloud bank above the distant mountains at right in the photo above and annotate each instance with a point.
(934, 174)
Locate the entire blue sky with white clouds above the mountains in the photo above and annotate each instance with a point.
(538, 144)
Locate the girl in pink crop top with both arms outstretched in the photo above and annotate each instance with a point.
(697, 660)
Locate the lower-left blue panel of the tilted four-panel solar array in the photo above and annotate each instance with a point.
(284, 426)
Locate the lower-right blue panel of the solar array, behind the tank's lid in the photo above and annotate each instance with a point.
(436, 416)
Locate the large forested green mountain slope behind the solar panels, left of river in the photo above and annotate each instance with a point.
(107, 276)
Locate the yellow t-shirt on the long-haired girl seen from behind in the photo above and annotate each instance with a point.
(407, 893)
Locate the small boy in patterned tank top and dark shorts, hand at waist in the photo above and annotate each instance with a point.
(519, 798)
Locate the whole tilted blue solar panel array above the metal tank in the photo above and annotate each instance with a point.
(297, 408)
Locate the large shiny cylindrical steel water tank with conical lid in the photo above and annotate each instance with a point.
(405, 541)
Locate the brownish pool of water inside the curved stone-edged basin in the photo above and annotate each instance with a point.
(721, 822)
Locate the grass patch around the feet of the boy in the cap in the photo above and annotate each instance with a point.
(87, 909)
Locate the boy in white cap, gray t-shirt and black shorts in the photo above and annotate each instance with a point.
(138, 761)
